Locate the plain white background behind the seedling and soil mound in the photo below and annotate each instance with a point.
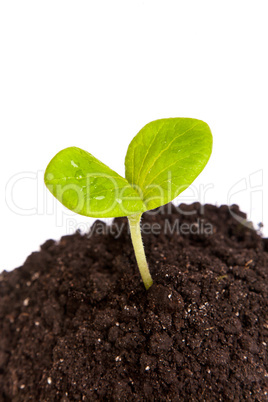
(93, 73)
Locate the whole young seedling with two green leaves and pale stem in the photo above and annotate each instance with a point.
(162, 160)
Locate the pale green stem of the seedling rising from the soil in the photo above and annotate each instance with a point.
(135, 231)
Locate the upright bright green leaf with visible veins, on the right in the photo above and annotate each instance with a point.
(165, 157)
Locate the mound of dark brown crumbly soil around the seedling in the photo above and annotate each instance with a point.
(78, 325)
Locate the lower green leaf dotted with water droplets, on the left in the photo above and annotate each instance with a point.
(88, 187)
